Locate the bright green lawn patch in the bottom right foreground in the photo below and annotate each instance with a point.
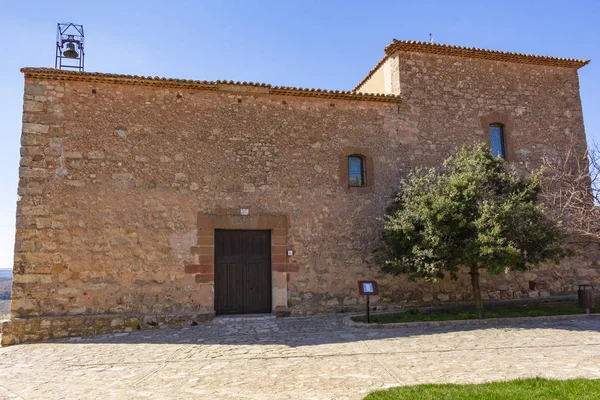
(522, 389)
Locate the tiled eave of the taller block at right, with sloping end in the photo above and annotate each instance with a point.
(472, 52)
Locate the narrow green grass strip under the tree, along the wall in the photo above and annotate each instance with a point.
(492, 311)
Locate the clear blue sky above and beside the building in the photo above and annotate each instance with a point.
(309, 43)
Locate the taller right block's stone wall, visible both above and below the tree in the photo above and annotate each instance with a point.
(450, 101)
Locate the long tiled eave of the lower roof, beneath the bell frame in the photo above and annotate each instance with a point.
(252, 87)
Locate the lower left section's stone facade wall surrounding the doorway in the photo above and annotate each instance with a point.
(113, 178)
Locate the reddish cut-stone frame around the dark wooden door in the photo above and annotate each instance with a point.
(204, 269)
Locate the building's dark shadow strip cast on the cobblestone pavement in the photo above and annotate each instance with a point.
(311, 331)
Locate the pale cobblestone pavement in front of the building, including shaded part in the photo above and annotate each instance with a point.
(293, 358)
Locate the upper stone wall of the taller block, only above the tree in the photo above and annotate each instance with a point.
(452, 100)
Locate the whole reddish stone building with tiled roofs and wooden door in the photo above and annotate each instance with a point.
(149, 201)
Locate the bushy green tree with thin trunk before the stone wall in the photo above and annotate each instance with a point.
(475, 211)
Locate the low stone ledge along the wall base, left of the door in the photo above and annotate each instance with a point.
(22, 330)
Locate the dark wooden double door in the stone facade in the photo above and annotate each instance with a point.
(242, 272)
